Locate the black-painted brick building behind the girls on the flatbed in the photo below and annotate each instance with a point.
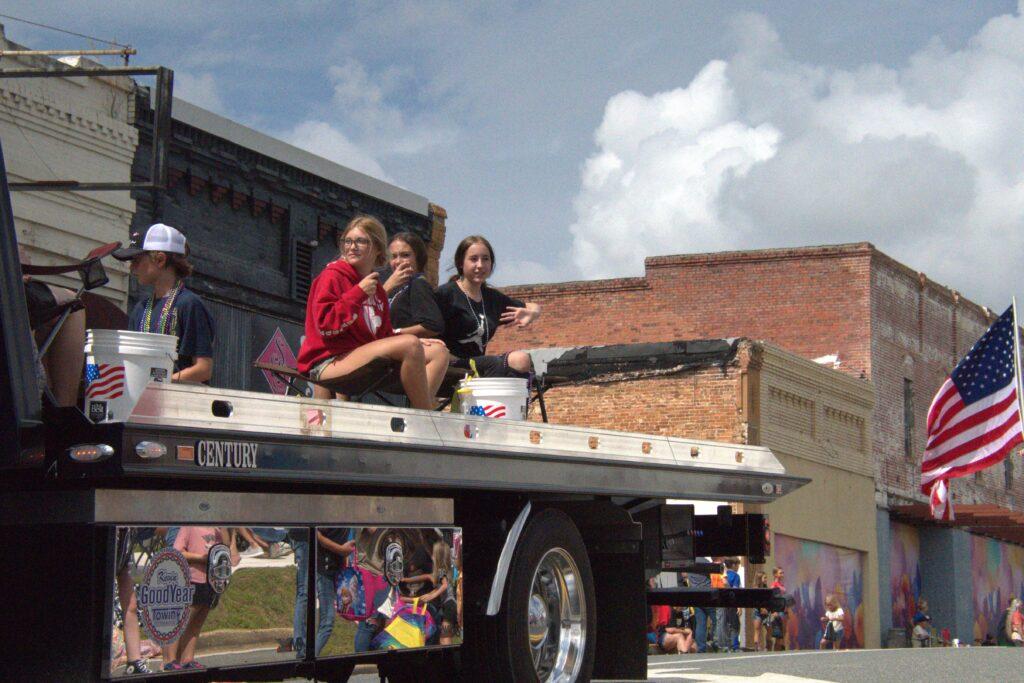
(260, 231)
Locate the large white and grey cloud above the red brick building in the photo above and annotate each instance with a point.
(761, 150)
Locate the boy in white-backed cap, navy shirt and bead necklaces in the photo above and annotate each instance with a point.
(160, 260)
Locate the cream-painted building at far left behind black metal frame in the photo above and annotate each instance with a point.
(69, 130)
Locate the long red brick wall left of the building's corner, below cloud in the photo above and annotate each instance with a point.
(810, 302)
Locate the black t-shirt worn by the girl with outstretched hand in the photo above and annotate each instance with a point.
(471, 325)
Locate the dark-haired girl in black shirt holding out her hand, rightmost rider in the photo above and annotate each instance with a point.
(474, 311)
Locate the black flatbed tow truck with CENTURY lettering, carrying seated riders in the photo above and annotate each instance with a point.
(554, 529)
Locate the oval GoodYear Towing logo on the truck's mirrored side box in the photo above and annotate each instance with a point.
(164, 596)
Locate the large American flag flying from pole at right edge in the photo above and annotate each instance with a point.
(975, 419)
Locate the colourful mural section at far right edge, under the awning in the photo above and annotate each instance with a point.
(998, 571)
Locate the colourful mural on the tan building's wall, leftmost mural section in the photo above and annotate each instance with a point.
(813, 572)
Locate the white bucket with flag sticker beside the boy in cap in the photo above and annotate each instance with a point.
(119, 365)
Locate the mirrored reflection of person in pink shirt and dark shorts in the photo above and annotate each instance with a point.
(195, 544)
